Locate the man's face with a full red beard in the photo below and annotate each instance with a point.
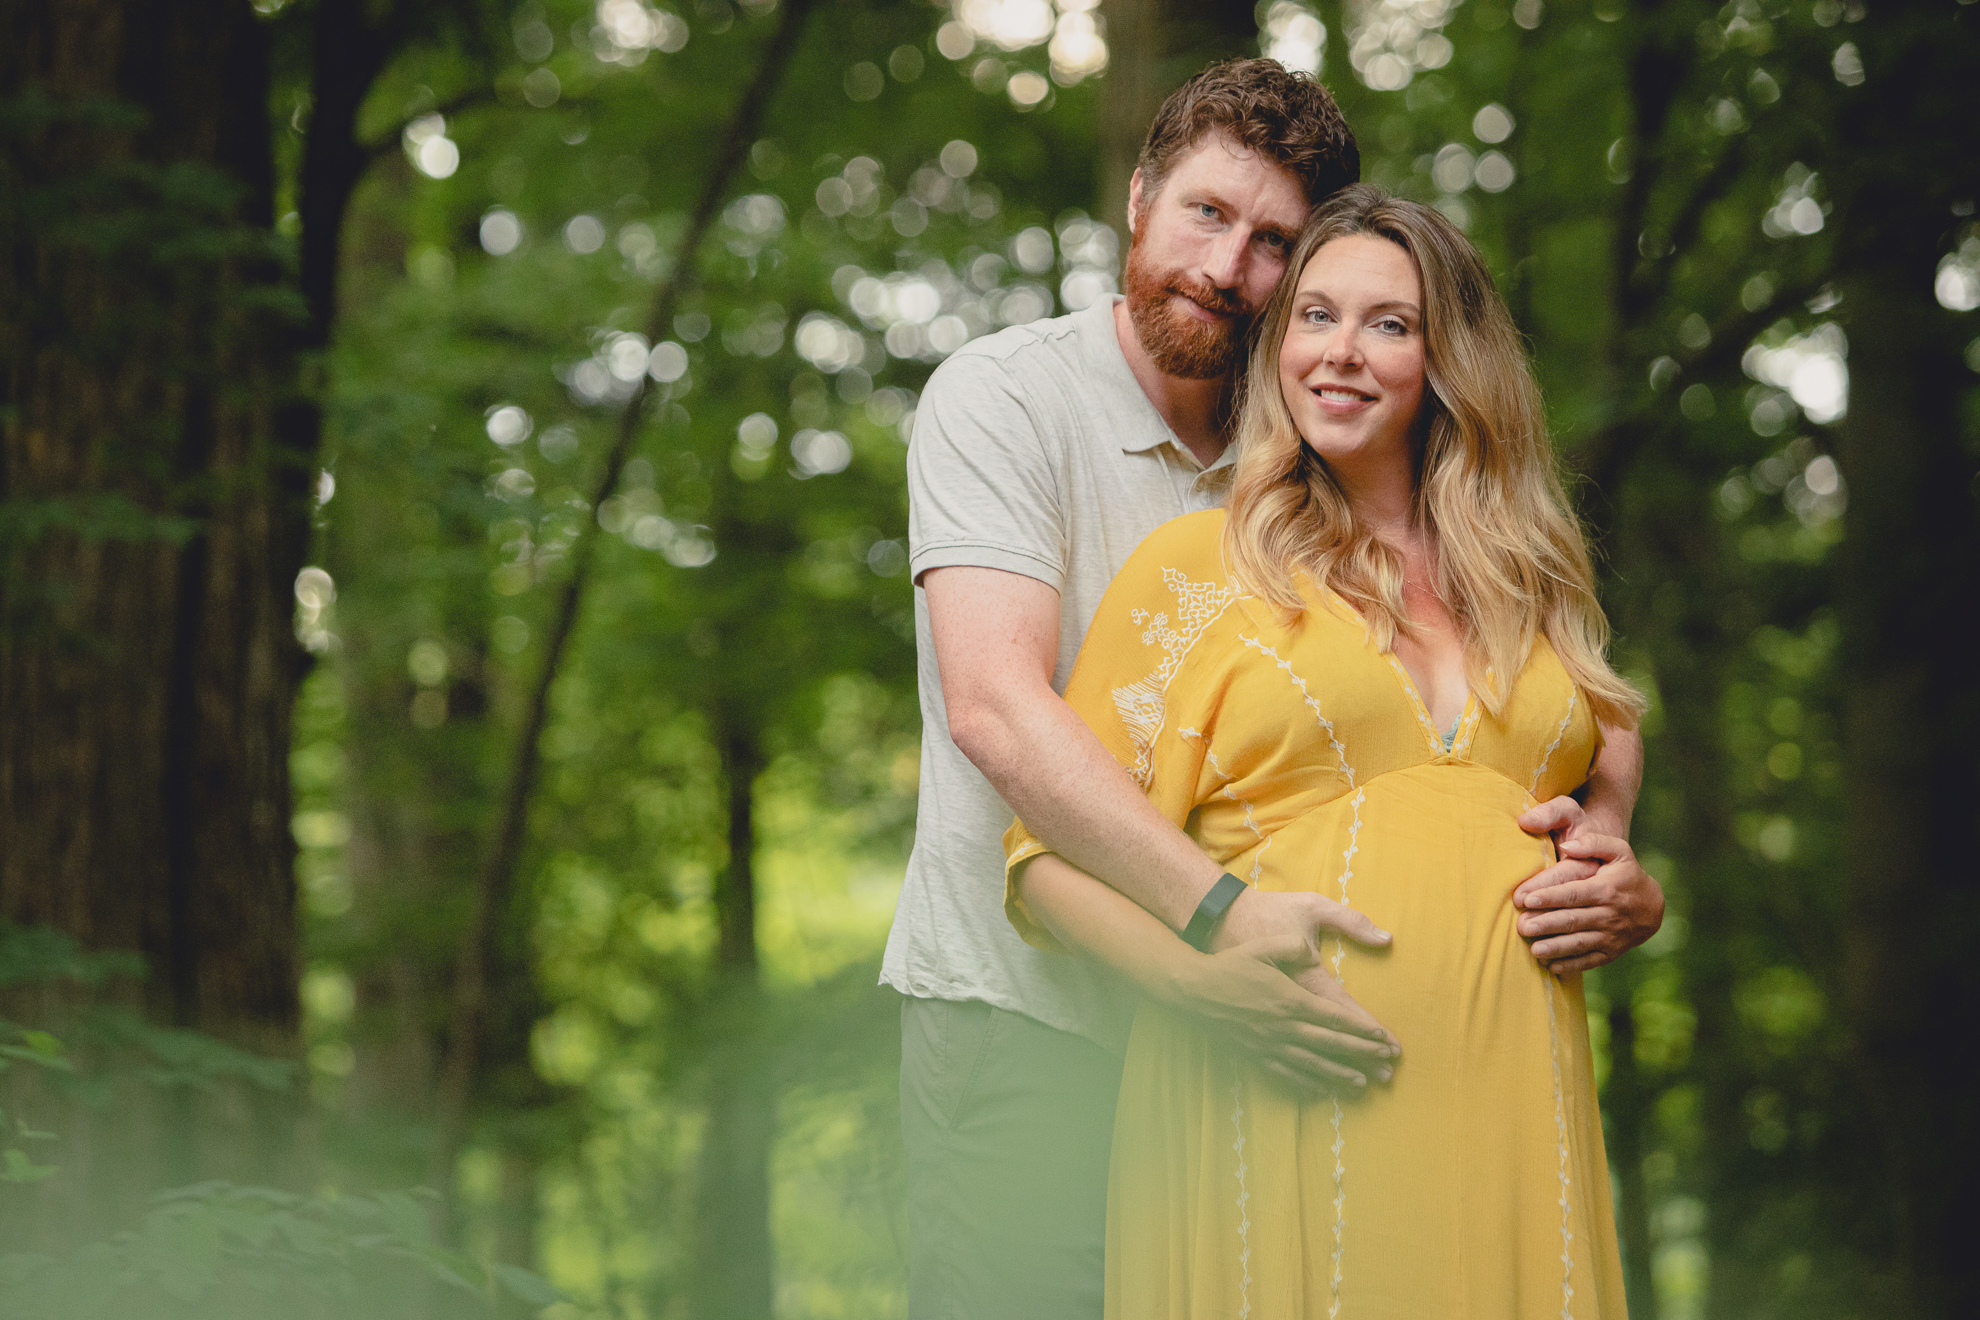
(1207, 252)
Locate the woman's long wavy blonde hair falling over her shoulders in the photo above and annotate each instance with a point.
(1512, 559)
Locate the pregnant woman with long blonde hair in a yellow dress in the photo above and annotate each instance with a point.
(1355, 682)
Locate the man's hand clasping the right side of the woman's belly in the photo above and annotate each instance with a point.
(1591, 907)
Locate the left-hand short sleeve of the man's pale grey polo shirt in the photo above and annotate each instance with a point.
(983, 476)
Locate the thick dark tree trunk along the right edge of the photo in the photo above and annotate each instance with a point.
(1912, 715)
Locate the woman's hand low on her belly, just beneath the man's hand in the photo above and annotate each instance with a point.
(1278, 1006)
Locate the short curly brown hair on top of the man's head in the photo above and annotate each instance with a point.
(1286, 118)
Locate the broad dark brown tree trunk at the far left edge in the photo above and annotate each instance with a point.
(157, 521)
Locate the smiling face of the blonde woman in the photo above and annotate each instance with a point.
(1353, 357)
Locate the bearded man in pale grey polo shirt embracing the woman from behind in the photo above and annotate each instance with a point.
(1042, 456)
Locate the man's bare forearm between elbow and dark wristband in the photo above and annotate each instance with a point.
(1076, 797)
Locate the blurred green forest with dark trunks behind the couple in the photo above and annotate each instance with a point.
(458, 737)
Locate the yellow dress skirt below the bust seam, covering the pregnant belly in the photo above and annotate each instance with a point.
(1474, 1182)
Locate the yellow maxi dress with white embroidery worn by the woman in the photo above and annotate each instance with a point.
(1474, 1184)
